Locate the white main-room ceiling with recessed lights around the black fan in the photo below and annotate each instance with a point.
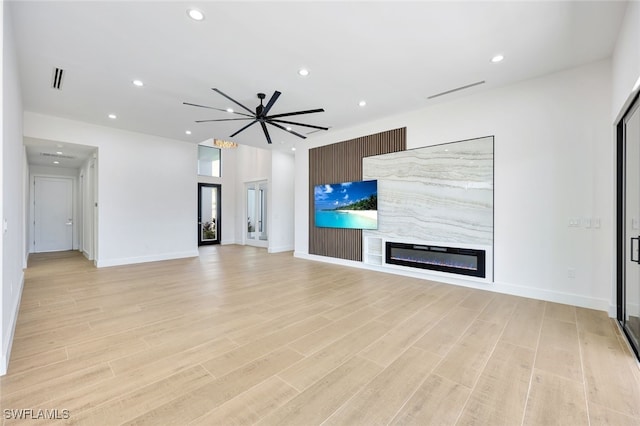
(393, 54)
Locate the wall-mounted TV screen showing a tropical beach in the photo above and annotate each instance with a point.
(352, 205)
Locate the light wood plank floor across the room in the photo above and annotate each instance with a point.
(238, 336)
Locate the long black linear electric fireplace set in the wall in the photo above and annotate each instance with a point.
(455, 260)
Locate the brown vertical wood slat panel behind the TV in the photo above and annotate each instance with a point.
(342, 162)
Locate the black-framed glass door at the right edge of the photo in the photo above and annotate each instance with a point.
(629, 287)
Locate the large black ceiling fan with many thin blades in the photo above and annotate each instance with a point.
(261, 115)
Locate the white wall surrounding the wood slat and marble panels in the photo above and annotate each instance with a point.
(553, 162)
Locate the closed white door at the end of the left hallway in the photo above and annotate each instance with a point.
(53, 214)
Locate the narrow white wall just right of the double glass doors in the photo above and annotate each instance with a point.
(281, 217)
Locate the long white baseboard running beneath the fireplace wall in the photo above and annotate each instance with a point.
(498, 287)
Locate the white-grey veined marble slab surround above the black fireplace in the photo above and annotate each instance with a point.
(437, 195)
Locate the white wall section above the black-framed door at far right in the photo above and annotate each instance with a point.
(626, 59)
